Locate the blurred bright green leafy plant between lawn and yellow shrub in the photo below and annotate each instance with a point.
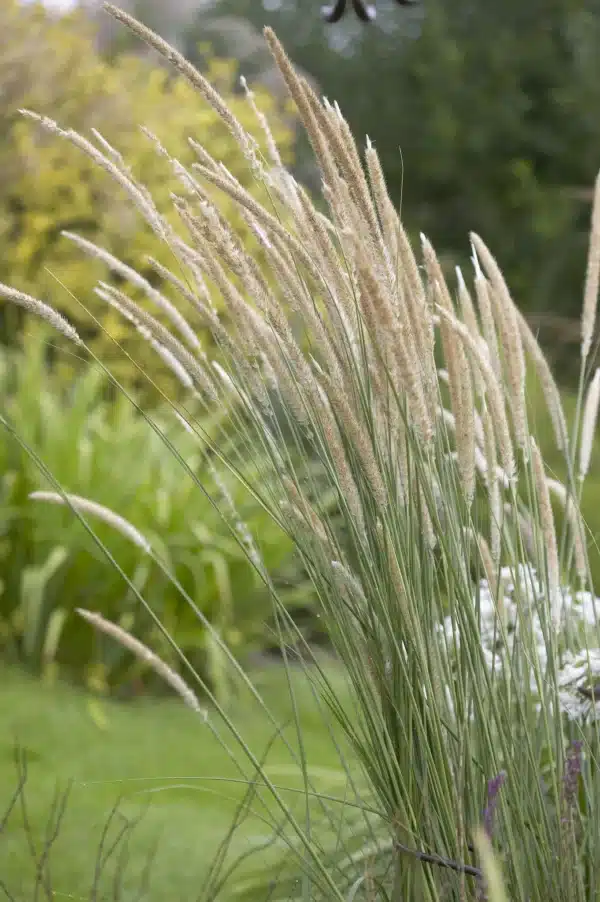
(98, 446)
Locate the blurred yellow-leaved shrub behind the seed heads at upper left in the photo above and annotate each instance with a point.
(50, 65)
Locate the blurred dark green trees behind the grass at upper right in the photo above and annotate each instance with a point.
(485, 116)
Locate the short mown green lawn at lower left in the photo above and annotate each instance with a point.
(160, 760)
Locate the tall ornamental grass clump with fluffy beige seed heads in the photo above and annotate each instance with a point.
(462, 612)
